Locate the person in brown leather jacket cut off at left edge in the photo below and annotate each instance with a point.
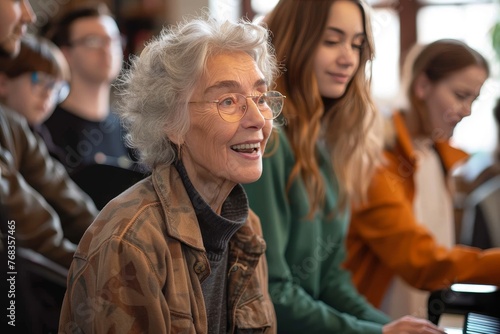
(42, 212)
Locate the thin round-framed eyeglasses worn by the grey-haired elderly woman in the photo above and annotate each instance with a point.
(233, 106)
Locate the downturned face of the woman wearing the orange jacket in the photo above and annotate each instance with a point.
(450, 100)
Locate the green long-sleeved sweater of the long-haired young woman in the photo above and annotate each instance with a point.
(310, 291)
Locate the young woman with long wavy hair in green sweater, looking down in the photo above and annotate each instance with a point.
(322, 158)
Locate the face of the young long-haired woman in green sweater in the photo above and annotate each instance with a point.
(338, 54)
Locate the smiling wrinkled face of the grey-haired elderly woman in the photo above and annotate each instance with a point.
(218, 152)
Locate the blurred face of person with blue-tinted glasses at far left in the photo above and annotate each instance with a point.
(34, 99)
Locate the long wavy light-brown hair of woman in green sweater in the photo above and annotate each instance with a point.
(348, 128)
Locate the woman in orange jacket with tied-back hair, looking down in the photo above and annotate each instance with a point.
(404, 231)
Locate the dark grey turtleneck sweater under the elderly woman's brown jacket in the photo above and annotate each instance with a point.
(216, 230)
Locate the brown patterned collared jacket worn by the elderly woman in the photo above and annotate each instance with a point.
(139, 268)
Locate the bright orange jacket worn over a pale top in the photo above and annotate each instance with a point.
(385, 239)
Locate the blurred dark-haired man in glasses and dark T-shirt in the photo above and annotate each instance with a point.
(84, 125)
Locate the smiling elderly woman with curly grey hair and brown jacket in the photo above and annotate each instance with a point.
(181, 251)
